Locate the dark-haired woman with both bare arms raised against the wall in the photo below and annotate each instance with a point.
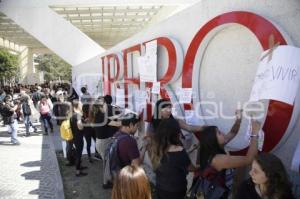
(213, 158)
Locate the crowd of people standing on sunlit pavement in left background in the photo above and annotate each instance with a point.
(24, 103)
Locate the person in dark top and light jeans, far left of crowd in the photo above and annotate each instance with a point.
(9, 118)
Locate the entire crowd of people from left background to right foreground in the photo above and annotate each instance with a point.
(110, 127)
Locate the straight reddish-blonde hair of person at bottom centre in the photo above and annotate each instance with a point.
(132, 183)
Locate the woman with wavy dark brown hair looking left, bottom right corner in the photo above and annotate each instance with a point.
(269, 179)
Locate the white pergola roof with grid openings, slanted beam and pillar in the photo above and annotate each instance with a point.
(77, 30)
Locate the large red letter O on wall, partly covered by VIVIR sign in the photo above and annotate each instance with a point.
(279, 113)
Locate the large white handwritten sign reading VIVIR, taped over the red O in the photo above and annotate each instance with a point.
(279, 78)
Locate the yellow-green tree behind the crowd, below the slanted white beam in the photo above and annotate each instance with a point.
(53, 67)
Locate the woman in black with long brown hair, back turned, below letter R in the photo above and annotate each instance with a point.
(170, 161)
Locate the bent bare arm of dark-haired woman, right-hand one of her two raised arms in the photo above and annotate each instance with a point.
(227, 161)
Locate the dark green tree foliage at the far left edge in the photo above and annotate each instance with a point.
(8, 64)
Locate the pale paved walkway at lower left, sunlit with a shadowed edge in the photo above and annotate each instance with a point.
(29, 170)
